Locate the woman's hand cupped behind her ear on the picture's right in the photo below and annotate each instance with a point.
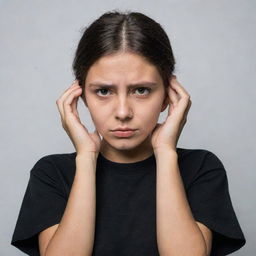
(165, 135)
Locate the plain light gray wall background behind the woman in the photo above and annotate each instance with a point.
(214, 45)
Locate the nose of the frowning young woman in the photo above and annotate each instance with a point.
(123, 109)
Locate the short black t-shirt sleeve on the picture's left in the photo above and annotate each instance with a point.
(43, 205)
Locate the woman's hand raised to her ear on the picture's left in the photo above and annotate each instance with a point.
(82, 140)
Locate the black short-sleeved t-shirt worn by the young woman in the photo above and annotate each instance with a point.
(126, 202)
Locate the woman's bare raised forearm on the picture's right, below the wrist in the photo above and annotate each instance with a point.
(177, 231)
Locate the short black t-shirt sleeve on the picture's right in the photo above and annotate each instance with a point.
(210, 203)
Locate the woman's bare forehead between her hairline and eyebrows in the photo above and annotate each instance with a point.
(123, 68)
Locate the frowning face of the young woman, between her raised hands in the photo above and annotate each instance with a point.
(115, 101)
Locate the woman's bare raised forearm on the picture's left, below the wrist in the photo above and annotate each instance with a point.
(75, 233)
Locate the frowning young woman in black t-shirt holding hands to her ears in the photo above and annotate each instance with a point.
(127, 189)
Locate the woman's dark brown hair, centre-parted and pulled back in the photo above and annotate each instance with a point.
(127, 31)
